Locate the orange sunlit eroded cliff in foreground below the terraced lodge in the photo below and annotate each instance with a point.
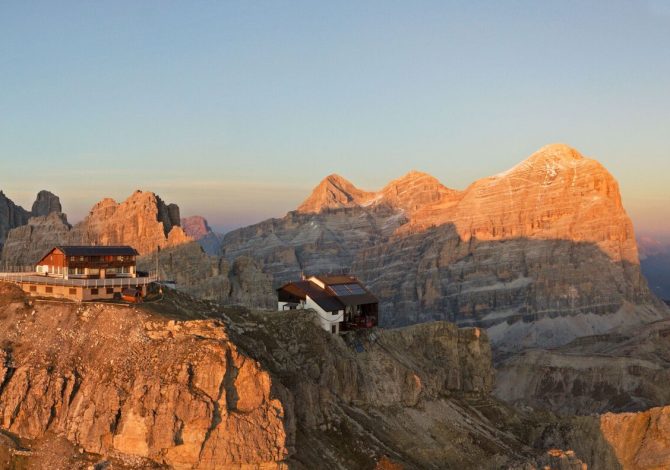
(114, 380)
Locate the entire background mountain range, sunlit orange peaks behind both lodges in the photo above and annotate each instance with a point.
(538, 255)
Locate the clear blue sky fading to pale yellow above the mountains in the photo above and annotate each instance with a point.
(235, 109)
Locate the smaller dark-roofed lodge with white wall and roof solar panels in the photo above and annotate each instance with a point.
(342, 303)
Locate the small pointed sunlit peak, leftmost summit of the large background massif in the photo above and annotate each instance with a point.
(333, 192)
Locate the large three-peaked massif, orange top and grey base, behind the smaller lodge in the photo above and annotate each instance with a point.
(539, 254)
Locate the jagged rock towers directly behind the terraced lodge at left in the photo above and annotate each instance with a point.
(143, 221)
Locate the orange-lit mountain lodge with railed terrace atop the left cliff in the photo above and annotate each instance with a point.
(85, 273)
